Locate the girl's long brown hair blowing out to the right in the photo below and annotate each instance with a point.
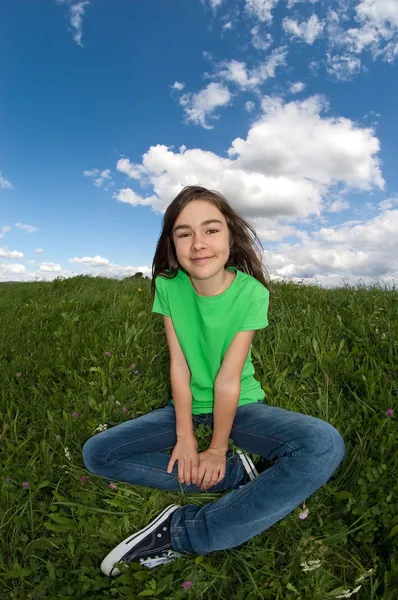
(245, 252)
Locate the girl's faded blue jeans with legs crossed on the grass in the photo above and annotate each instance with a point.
(308, 451)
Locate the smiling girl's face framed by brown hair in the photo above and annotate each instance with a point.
(201, 238)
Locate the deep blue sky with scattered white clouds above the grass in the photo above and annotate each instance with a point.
(289, 108)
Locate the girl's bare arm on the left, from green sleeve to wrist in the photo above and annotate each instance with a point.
(180, 377)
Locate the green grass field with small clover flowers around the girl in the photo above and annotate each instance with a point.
(329, 353)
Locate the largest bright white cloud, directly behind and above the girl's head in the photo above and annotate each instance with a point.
(292, 158)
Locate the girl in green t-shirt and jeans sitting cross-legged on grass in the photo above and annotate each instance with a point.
(210, 288)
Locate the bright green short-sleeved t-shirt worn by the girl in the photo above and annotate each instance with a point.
(206, 325)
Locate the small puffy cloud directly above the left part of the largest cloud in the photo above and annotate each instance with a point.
(201, 106)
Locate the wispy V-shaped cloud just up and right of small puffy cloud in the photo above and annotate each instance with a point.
(238, 73)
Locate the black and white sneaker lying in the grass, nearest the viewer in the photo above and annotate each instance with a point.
(150, 546)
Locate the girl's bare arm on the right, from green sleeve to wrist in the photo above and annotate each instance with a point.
(227, 389)
